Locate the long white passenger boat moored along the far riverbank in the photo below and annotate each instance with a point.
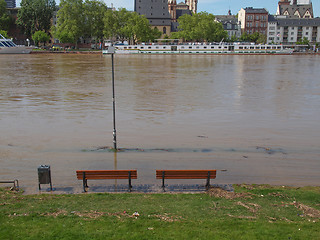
(213, 48)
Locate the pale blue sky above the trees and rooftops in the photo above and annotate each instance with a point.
(218, 7)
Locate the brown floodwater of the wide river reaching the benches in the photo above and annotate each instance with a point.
(255, 116)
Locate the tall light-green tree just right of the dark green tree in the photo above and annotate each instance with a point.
(70, 21)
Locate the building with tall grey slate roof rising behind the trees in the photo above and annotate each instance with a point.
(156, 12)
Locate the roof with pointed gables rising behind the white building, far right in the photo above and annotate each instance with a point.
(295, 8)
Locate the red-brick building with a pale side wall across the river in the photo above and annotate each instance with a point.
(253, 20)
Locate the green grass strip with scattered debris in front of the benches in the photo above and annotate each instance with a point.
(252, 212)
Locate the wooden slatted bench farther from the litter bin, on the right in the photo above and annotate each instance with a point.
(186, 174)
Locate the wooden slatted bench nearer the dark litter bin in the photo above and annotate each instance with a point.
(84, 175)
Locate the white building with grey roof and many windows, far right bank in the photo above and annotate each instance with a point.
(291, 30)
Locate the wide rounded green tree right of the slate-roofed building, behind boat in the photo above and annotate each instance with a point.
(200, 27)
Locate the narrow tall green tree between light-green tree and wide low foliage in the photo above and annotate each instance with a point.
(94, 12)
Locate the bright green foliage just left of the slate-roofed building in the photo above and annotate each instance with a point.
(125, 25)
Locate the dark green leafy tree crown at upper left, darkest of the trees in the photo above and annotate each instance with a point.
(36, 15)
